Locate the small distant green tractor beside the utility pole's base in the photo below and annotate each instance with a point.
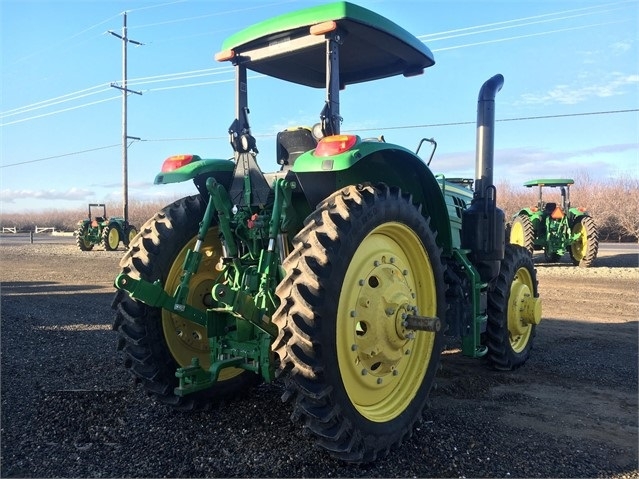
(103, 230)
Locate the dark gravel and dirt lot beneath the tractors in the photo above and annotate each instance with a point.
(70, 410)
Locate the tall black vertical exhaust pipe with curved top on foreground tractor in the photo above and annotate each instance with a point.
(483, 224)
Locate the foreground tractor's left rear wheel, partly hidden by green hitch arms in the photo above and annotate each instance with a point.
(154, 341)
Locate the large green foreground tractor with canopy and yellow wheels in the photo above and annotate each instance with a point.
(341, 273)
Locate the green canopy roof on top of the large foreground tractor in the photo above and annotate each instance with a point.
(292, 46)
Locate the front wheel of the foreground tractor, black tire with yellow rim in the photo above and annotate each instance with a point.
(514, 310)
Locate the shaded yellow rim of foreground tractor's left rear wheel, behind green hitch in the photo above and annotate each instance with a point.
(184, 338)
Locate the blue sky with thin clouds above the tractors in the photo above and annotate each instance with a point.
(569, 105)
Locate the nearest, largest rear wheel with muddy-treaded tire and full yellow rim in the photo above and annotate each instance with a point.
(361, 379)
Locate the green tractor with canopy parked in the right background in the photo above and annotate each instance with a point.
(556, 228)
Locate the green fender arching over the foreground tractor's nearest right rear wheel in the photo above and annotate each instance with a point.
(375, 161)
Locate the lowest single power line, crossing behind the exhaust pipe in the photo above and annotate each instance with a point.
(400, 127)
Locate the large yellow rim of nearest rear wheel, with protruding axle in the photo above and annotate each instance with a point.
(382, 365)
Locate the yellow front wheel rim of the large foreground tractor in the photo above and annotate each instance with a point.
(520, 302)
